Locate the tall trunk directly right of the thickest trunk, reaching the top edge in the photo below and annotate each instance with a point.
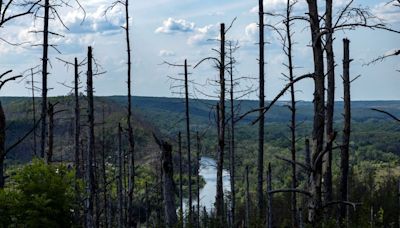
(327, 161)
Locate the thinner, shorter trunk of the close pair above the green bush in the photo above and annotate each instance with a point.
(77, 121)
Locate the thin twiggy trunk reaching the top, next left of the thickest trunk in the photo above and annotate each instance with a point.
(293, 113)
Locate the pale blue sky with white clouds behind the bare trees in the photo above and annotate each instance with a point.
(175, 30)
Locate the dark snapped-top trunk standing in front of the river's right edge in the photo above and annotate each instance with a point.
(221, 135)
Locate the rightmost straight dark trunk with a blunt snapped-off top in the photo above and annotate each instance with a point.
(344, 156)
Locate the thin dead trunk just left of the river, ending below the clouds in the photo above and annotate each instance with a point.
(188, 141)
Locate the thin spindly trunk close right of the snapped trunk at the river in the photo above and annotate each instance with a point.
(232, 143)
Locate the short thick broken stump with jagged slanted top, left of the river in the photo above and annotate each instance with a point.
(168, 183)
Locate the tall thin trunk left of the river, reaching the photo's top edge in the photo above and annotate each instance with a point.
(131, 219)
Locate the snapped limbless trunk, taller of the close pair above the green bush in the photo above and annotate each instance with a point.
(90, 147)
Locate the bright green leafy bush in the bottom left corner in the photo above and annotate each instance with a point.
(43, 196)
